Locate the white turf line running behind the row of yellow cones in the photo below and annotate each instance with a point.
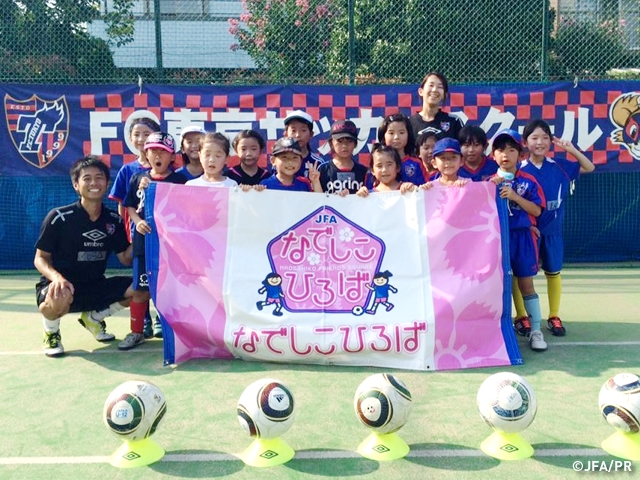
(309, 455)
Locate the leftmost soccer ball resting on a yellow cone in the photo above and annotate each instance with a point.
(134, 410)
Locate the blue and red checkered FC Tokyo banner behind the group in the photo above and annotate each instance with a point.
(46, 128)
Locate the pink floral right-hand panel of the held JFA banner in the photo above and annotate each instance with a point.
(463, 238)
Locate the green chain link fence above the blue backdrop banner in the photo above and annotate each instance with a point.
(316, 41)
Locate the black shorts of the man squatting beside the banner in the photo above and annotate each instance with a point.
(96, 295)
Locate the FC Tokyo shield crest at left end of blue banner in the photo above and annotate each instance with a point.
(39, 128)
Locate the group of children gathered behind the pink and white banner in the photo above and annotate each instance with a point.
(403, 160)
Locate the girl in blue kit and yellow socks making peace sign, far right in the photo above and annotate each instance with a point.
(555, 177)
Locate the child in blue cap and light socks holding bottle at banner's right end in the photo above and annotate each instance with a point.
(526, 202)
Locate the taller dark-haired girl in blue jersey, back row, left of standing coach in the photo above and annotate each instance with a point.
(396, 132)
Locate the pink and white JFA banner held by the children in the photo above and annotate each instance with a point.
(414, 281)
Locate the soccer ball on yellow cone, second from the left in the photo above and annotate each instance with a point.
(266, 409)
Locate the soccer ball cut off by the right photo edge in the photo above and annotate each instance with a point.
(619, 402)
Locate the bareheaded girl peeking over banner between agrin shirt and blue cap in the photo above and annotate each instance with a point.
(386, 166)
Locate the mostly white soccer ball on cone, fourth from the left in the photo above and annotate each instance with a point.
(507, 402)
